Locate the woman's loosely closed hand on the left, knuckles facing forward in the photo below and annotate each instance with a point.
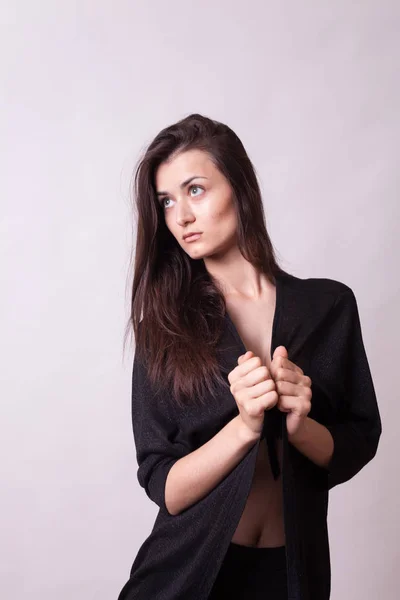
(254, 391)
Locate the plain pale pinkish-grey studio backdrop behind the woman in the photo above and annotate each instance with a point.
(312, 89)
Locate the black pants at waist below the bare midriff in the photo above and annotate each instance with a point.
(251, 573)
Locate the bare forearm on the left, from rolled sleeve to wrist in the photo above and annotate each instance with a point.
(195, 475)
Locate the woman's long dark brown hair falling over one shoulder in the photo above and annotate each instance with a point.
(182, 307)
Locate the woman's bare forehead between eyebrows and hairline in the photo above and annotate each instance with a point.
(183, 166)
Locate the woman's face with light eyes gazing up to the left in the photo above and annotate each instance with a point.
(196, 197)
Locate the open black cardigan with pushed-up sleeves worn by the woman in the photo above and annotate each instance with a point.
(317, 320)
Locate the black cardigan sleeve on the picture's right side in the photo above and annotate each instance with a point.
(357, 431)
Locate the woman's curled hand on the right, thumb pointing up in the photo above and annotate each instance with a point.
(294, 390)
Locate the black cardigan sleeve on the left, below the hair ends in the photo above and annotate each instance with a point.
(154, 430)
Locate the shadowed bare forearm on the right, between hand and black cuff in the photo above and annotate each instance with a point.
(314, 441)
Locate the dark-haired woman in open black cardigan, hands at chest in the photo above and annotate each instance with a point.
(251, 390)
